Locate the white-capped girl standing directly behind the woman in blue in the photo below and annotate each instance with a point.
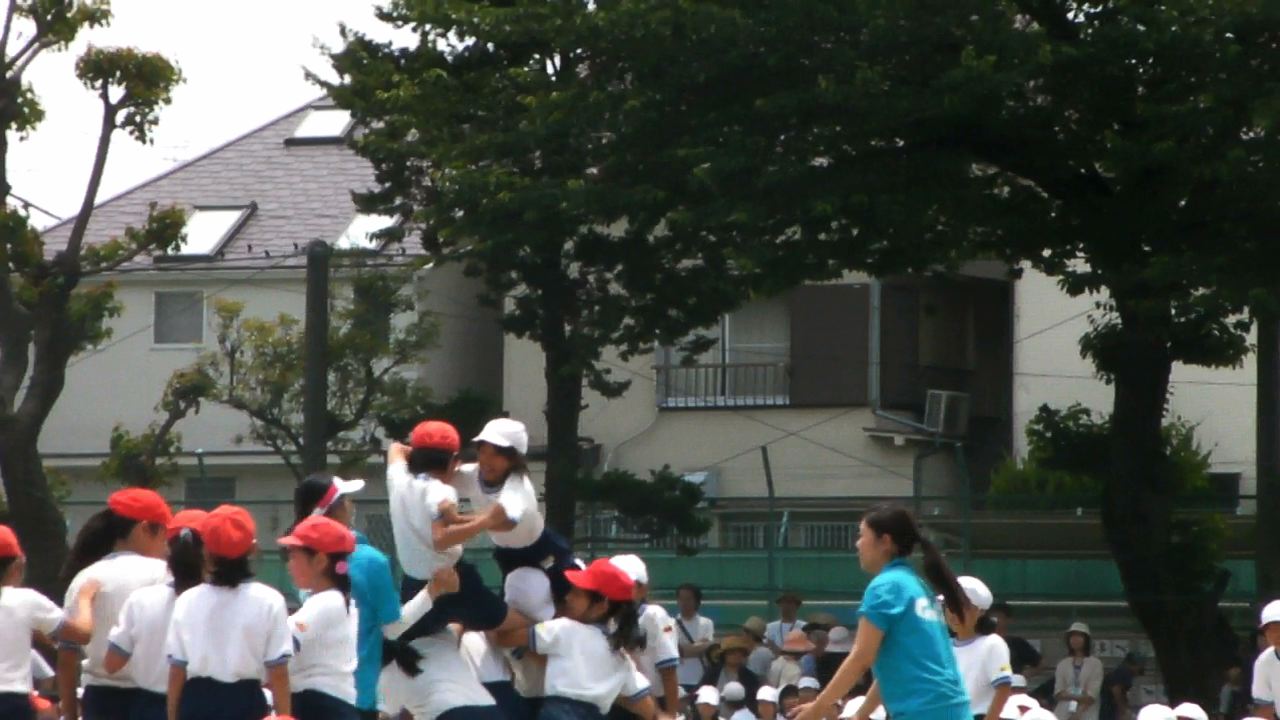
(982, 655)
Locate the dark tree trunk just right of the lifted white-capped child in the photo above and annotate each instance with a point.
(564, 411)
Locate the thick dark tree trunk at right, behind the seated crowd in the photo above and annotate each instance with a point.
(1181, 617)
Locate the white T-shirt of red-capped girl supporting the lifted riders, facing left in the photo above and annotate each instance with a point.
(582, 666)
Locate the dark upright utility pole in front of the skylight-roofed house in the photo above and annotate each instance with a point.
(316, 361)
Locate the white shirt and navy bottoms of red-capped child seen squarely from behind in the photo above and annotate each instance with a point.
(225, 639)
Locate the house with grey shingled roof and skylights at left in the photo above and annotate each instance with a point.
(254, 204)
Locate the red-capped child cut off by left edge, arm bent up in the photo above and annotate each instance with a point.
(22, 614)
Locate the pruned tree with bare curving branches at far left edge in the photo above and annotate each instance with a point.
(48, 312)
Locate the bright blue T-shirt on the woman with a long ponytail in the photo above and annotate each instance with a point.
(916, 667)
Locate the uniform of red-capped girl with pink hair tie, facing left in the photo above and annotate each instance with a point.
(323, 668)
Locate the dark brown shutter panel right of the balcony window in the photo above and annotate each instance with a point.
(830, 345)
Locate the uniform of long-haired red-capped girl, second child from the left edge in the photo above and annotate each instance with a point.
(107, 696)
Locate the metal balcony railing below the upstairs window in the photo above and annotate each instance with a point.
(732, 385)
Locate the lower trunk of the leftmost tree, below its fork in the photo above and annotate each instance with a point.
(34, 513)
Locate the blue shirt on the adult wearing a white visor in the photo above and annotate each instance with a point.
(378, 601)
